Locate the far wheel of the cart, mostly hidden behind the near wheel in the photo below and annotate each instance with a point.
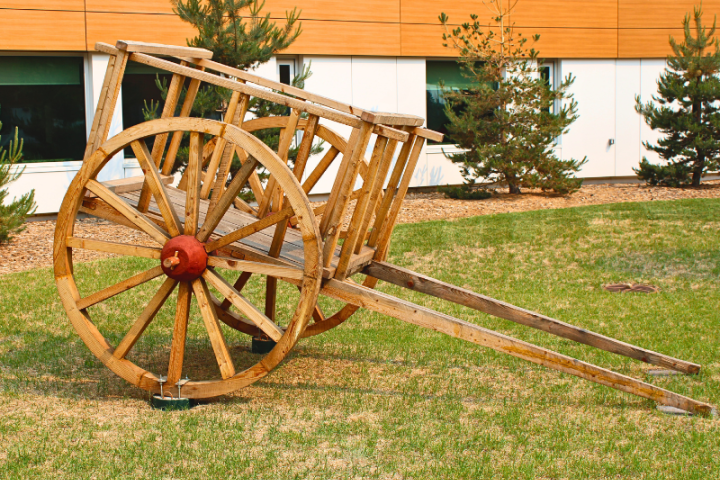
(323, 321)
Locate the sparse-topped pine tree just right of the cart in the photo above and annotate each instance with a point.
(506, 120)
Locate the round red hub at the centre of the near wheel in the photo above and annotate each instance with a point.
(183, 258)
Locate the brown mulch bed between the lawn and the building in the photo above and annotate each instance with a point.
(33, 247)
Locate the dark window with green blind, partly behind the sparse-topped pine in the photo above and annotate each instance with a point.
(447, 71)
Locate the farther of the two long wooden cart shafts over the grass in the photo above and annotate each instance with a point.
(422, 283)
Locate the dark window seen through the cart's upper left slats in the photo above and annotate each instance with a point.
(139, 89)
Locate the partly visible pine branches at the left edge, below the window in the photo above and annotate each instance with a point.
(13, 215)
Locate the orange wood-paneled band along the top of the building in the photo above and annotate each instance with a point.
(567, 28)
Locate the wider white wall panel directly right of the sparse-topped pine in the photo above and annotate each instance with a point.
(594, 90)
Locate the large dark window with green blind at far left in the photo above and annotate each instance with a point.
(45, 98)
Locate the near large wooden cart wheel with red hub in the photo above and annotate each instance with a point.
(183, 258)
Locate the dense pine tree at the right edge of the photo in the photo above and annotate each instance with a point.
(688, 111)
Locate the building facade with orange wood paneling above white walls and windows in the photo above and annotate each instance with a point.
(384, 55)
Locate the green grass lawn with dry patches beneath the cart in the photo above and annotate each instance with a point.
(377, 398)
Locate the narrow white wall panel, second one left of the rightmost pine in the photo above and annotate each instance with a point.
(628, 121)
